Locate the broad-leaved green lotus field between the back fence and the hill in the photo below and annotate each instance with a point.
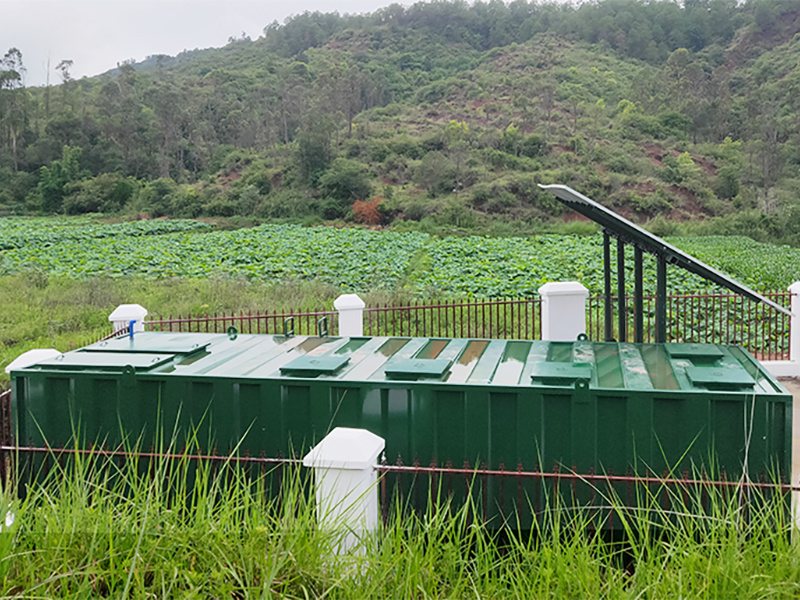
(359, 260)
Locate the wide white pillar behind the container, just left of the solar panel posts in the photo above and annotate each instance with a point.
(563, 310)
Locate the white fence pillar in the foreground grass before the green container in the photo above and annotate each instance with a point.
(346, 483)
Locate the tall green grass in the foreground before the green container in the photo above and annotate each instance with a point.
(98, 527)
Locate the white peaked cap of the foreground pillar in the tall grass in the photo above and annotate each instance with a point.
(346, 448)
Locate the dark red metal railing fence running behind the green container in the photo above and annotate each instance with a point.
(714, 318)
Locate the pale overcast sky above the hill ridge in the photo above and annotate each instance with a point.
(97, 34)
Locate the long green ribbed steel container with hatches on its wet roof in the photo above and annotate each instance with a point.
(581, 405)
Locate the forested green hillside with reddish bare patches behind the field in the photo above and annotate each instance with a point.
(442, 115)
